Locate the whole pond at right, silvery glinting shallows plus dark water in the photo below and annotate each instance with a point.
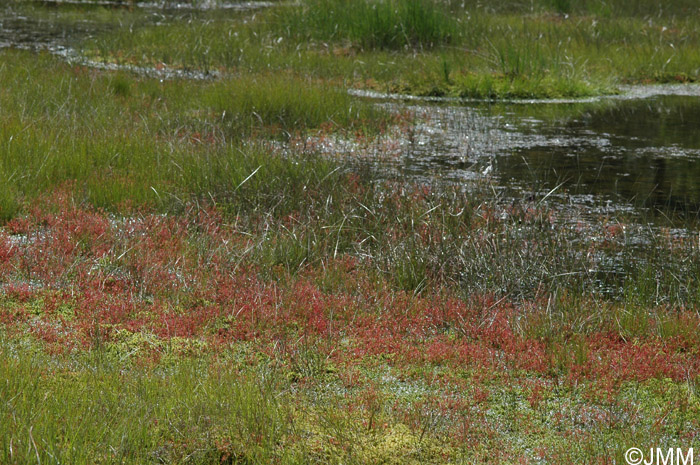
(639, 155)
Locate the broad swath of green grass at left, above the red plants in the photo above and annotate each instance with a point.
(116, 138)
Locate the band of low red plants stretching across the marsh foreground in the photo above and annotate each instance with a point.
(174, 277)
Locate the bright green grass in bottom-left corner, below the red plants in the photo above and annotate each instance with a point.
(91, 409)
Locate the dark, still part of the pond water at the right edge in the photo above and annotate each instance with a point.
(643, 152)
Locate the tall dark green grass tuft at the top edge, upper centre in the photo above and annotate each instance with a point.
(384, 24)
